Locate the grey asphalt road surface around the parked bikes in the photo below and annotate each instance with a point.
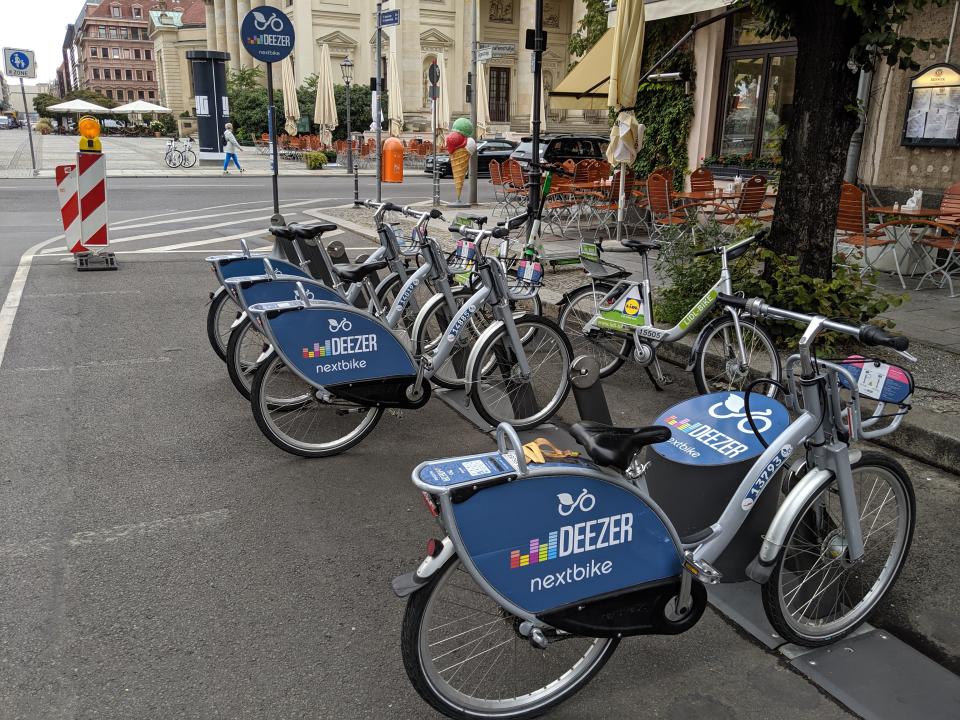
(159, 558)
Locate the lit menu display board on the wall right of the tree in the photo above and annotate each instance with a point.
(933, 110)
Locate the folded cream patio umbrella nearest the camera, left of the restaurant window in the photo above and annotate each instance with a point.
(626, 135)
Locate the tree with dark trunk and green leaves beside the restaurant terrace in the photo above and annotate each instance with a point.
(835, 39)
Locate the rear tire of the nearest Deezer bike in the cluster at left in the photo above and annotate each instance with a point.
(268, 407)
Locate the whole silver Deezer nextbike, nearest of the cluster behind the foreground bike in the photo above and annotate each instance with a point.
(337, 368)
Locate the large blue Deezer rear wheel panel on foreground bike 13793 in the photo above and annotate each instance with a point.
(546, 541)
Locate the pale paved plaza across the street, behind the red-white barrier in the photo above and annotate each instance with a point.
(131, 157)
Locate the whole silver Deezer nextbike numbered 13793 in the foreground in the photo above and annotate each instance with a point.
(545, 566)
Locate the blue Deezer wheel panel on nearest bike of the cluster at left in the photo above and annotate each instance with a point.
(334, 345)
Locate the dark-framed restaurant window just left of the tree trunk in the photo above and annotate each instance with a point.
(757, 86)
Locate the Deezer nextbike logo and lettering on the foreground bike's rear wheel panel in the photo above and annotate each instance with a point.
(575, 539)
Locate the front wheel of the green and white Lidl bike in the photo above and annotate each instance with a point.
(736, 378)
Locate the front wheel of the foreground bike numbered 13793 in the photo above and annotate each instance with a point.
(815, 595)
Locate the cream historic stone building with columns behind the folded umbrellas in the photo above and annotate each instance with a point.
(427, 27)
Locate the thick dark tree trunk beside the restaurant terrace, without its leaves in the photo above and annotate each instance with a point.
(815, 148)
